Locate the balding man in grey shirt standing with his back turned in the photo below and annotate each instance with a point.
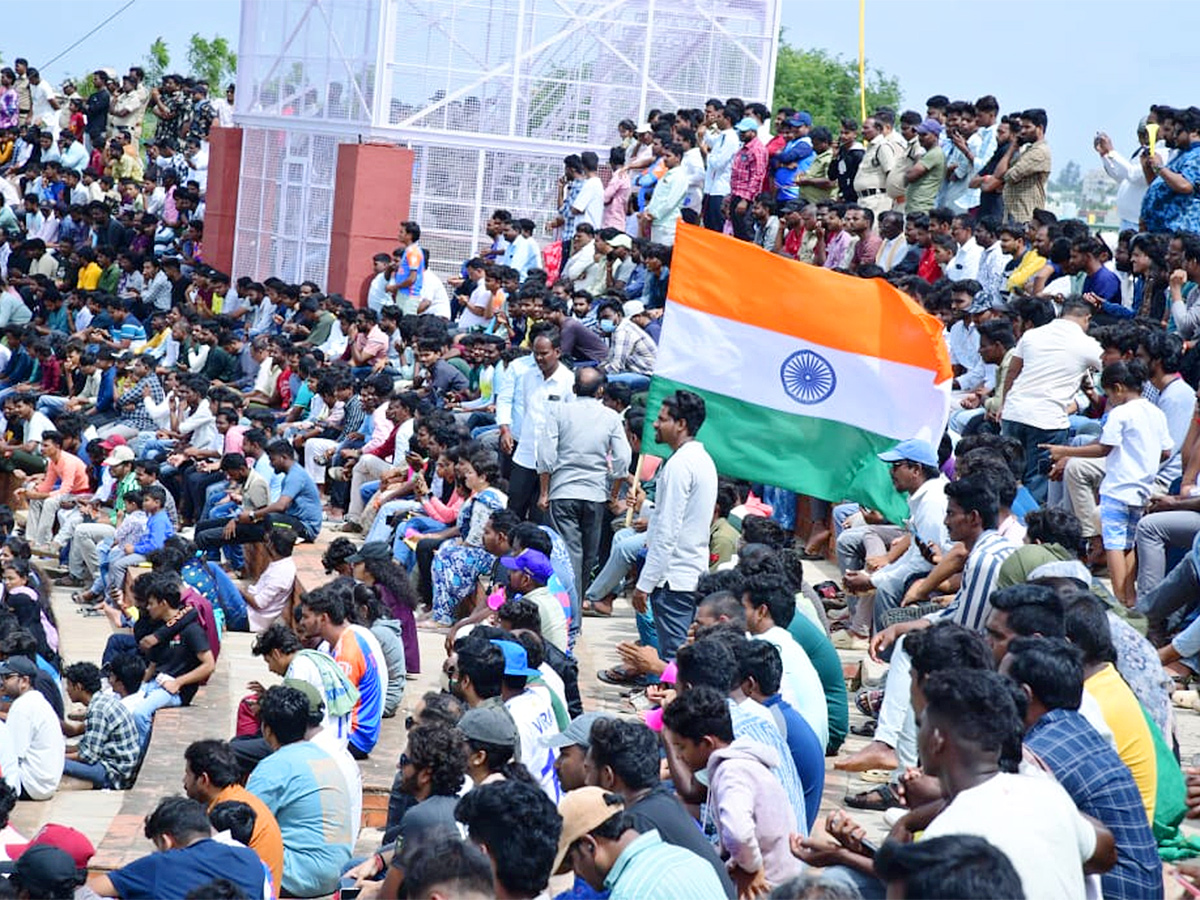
(585, 442)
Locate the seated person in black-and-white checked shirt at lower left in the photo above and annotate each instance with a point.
(110, 746)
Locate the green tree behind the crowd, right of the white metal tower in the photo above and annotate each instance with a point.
(827, 86)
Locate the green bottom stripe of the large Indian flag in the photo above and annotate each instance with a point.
(819, 458)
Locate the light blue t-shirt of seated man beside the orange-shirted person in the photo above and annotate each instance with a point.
(305, 790)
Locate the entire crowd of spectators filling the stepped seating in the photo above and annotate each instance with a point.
(172, 434)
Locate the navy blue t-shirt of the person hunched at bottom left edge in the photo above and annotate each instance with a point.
(173, 874)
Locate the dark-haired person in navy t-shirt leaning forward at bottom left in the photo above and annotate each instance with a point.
(188, 857)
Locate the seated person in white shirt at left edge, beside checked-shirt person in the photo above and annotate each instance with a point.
(34, 730)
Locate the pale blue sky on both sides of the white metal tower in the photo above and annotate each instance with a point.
(1064, 56)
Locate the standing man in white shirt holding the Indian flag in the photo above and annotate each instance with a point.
(677, 548)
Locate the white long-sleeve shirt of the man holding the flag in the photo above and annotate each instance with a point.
(677, 548)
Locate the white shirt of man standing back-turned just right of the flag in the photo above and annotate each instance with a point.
(1054, 359)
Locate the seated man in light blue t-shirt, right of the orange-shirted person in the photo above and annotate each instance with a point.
(303, 788)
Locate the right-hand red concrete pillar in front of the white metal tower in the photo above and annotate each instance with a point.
(371, 199)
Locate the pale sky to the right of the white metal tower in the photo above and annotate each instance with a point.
(1093, 67)
